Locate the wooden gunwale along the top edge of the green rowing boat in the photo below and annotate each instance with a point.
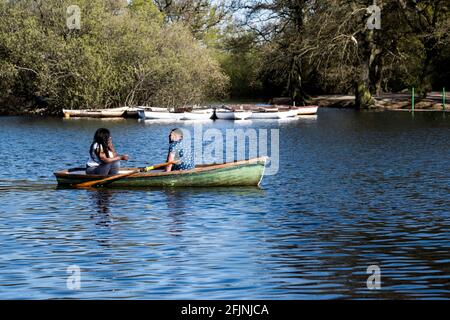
(203, 168)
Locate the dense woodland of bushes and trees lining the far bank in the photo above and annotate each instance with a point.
(181, 52)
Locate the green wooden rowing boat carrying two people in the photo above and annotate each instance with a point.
(240, 173)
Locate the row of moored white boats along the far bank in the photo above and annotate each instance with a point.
(229, 112)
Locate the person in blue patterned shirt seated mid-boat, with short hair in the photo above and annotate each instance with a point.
(179, 152)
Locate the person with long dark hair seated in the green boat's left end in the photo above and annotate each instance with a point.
(104, 159)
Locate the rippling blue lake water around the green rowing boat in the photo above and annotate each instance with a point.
(354, 189)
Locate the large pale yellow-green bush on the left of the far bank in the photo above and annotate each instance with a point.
(122, 55)
